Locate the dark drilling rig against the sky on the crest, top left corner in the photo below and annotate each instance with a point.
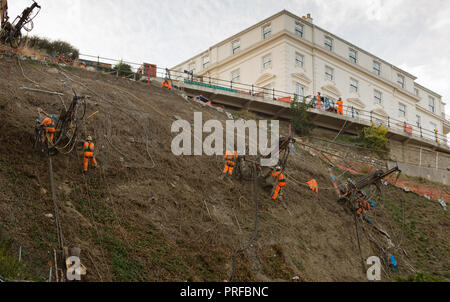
(10, 32)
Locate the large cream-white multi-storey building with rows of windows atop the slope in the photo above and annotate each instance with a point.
(291, 54)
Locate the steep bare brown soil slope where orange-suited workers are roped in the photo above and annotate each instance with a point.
(147, 214)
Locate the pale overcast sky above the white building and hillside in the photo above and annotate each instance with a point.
(412, 34)
